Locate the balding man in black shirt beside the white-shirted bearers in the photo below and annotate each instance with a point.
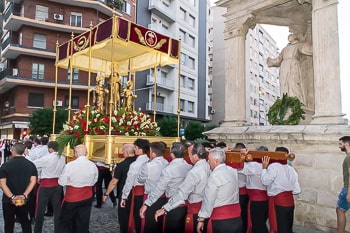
(118, 180)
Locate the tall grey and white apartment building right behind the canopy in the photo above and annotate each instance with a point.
(186, 20)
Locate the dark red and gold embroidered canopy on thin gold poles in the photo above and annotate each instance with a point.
(131, 46)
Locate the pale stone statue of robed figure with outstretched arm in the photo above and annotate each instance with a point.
(290, 71)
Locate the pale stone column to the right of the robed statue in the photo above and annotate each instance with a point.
(326, 63)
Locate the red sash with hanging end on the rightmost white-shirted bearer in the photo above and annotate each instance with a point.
(281, 199)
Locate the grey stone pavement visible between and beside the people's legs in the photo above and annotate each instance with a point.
(104, 220)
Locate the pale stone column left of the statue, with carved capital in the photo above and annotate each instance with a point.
(235, 80)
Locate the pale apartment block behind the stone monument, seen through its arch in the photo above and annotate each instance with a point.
(262, 83)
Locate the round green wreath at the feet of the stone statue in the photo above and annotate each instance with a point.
(277, 112)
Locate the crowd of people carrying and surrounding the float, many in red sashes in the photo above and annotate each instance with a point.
(154, 193)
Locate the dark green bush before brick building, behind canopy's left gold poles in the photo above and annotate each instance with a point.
(40, 123)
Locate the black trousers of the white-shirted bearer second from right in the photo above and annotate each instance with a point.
(259, 215)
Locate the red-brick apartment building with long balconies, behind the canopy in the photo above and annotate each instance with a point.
(31, 30)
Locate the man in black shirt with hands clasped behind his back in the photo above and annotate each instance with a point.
(17, 179)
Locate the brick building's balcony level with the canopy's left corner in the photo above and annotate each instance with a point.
(11, 50)
